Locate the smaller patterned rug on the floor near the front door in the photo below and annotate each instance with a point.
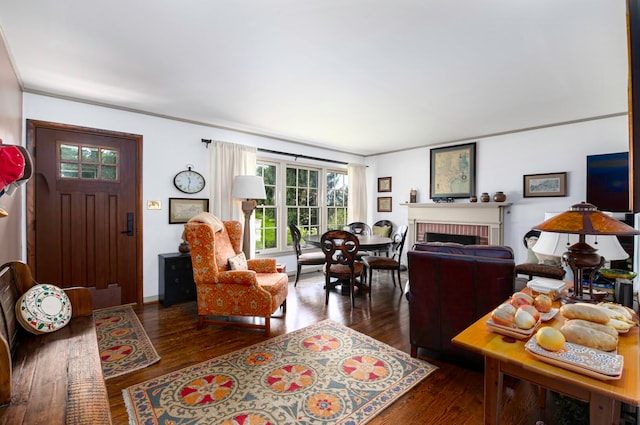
(123, 343)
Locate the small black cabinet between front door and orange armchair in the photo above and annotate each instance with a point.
(176, 279)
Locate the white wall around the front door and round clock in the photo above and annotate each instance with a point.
(168, 145)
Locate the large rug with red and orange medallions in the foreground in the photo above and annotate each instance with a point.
(324, 373)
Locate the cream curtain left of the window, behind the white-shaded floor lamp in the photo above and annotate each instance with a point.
(228, 160)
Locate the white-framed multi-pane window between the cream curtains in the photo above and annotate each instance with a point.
(312, 197)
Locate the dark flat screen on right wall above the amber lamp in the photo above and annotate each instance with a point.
(608, 181)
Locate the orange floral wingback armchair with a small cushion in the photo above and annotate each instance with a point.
(257, 292)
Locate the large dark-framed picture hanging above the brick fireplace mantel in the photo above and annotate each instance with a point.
(453, 171)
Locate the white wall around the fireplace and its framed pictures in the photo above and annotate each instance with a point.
(501, 163)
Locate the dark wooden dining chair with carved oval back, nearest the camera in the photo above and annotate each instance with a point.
(340, 248)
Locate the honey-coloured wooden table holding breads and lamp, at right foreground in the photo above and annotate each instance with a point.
(507, 356)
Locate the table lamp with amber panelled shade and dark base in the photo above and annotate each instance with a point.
(582, 220)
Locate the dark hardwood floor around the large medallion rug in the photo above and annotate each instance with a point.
(450, 395)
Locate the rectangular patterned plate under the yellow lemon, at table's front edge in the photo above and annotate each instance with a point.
(578, 358)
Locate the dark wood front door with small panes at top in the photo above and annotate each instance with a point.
(83, 211)
